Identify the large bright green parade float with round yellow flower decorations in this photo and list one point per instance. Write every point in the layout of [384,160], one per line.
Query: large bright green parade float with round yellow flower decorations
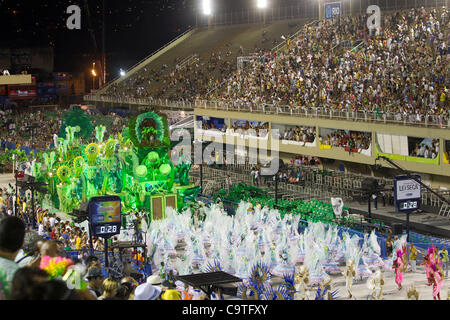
[134,165]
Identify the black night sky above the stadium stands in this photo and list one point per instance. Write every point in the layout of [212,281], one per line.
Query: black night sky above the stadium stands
[134,28]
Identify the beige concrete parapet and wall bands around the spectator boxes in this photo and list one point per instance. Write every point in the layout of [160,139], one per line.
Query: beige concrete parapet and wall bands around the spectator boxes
[438,174]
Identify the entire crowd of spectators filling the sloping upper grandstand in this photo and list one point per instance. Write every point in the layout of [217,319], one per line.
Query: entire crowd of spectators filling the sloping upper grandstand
[397,72]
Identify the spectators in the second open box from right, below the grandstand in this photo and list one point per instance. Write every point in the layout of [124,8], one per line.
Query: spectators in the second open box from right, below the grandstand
[344,139]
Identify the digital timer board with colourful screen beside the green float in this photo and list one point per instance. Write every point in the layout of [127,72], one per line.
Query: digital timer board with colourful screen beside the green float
[105,216]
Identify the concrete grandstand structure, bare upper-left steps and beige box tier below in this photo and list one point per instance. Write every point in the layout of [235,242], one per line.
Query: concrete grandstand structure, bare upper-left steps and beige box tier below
[390,136]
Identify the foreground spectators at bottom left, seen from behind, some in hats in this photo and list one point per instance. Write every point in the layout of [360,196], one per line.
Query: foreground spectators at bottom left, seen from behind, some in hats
[26,274]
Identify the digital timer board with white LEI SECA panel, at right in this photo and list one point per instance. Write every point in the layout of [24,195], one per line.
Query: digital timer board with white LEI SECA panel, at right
[407,193]
